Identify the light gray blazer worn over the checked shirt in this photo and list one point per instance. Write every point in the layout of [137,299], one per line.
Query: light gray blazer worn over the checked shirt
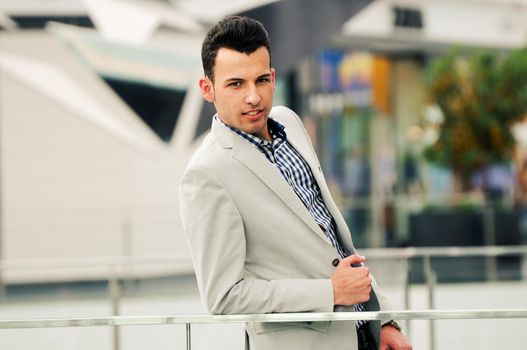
[255,246]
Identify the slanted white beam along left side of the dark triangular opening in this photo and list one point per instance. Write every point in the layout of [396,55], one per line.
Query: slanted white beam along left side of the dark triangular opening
[79,90]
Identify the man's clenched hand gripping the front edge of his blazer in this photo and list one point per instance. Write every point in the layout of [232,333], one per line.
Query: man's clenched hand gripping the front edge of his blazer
[351,285]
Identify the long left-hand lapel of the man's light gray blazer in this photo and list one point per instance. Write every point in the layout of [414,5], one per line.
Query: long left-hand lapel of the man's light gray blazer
[254,160]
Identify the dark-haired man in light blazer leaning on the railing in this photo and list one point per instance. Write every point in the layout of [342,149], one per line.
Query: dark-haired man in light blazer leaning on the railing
[264,233]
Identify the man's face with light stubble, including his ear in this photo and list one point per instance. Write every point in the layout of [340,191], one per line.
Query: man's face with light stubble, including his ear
[243,89]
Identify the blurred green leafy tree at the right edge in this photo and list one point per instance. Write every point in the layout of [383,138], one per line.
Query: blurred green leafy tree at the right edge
[481,95]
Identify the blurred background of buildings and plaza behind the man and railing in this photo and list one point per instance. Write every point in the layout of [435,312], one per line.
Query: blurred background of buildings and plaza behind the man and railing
[416,109]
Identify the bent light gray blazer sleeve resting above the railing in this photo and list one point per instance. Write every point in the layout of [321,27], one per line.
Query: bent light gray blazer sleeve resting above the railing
[215,233]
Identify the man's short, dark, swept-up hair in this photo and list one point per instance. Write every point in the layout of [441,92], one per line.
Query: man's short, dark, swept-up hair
[242,34]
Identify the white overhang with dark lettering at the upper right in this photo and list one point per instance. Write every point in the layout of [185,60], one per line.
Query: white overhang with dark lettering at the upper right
[500,24]
